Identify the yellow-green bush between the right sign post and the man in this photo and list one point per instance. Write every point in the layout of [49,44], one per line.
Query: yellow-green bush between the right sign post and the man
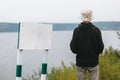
[63,73]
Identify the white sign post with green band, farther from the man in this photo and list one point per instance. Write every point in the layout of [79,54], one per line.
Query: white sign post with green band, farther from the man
[19,65]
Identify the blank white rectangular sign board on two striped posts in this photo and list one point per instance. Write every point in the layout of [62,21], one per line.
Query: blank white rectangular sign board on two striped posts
[35,36]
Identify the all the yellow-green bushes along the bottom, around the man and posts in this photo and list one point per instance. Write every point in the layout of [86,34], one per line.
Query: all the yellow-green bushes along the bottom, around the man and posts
[109,64]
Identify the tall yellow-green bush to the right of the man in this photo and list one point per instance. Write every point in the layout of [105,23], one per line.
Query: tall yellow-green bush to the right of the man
[110,65]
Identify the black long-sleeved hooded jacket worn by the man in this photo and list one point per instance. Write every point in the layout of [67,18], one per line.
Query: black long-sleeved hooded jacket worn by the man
[87,44]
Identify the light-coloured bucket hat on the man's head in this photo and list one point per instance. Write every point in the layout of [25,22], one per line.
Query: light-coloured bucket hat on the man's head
[86,15]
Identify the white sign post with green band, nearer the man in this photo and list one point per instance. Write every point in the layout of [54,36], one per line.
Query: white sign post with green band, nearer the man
[44,65]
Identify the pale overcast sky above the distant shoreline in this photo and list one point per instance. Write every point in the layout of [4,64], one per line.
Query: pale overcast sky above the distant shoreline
[57,11]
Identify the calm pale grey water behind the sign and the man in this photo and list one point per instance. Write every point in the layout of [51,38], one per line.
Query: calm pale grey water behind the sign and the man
[32,60]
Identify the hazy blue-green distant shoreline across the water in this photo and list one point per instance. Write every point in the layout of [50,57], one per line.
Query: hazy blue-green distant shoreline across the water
[107,25]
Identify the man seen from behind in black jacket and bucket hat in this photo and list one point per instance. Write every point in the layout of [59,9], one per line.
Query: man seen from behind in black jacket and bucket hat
[87,44]
